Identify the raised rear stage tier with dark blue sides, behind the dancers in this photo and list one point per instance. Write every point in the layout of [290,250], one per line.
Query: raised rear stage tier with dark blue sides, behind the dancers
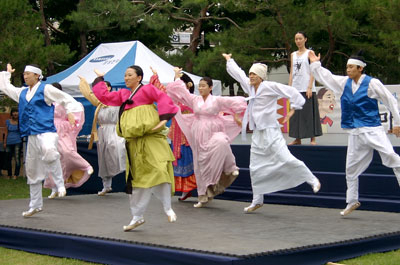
[379,189]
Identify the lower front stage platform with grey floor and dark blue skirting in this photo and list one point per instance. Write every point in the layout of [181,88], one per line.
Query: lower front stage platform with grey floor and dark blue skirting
[89,227]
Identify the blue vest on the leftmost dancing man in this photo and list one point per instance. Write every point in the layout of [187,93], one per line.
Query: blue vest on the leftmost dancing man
[35,116]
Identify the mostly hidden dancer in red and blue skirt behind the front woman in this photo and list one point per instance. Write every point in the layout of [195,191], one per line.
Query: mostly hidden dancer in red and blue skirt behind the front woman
[185,180]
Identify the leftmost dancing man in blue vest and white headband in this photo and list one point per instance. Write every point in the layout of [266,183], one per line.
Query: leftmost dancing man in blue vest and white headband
[36,121]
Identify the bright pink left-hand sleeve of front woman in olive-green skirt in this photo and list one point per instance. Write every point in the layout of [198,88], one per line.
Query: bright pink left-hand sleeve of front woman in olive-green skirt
[106,97]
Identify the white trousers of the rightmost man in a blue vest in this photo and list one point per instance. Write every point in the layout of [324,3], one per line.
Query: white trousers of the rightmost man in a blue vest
[359,156]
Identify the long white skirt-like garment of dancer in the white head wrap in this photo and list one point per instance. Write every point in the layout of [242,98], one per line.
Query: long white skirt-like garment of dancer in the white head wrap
[272,166]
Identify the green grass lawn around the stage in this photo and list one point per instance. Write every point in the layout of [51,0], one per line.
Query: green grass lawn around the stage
[17,189]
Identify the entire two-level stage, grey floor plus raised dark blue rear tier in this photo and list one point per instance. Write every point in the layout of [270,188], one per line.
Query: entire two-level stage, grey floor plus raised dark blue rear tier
[294,226]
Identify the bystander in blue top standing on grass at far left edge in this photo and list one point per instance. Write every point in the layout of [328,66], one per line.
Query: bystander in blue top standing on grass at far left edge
[13,144]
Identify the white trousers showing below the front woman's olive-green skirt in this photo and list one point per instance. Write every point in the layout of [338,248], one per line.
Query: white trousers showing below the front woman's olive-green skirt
[140,198]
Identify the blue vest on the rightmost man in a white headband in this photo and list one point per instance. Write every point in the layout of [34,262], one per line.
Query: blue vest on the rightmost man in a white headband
[359,110]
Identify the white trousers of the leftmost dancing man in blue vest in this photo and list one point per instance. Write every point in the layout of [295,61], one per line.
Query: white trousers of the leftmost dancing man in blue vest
[42,158]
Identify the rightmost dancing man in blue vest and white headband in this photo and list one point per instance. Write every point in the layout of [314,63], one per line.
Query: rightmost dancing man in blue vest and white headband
[360,118]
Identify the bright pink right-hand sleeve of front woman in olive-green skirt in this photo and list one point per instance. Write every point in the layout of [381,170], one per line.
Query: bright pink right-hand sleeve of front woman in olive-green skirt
[165,106]
